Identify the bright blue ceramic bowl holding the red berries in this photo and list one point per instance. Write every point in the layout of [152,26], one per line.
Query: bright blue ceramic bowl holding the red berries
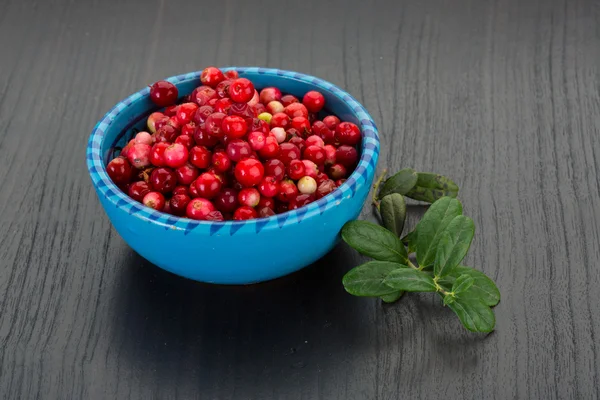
[233,252]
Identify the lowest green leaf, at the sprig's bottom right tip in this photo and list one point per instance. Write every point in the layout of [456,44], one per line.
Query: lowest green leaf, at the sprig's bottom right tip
[474,314]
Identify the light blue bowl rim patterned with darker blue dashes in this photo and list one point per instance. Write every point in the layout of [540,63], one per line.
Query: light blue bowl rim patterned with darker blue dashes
[367,162]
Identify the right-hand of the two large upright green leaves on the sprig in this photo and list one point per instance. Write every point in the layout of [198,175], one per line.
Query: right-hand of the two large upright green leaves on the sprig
[453,244]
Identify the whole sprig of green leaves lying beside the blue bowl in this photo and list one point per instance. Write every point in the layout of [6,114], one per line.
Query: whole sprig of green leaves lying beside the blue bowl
[428,259]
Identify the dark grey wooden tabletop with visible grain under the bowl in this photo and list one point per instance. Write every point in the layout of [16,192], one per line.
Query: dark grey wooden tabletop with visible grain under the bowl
[503,96]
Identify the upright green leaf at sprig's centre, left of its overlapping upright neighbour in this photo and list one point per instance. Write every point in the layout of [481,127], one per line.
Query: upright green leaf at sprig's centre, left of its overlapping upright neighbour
[431,226]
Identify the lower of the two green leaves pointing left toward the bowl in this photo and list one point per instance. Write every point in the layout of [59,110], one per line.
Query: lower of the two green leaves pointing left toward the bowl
[367,279]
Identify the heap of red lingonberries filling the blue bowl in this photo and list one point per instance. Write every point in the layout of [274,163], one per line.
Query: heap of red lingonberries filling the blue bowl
[227,151]
